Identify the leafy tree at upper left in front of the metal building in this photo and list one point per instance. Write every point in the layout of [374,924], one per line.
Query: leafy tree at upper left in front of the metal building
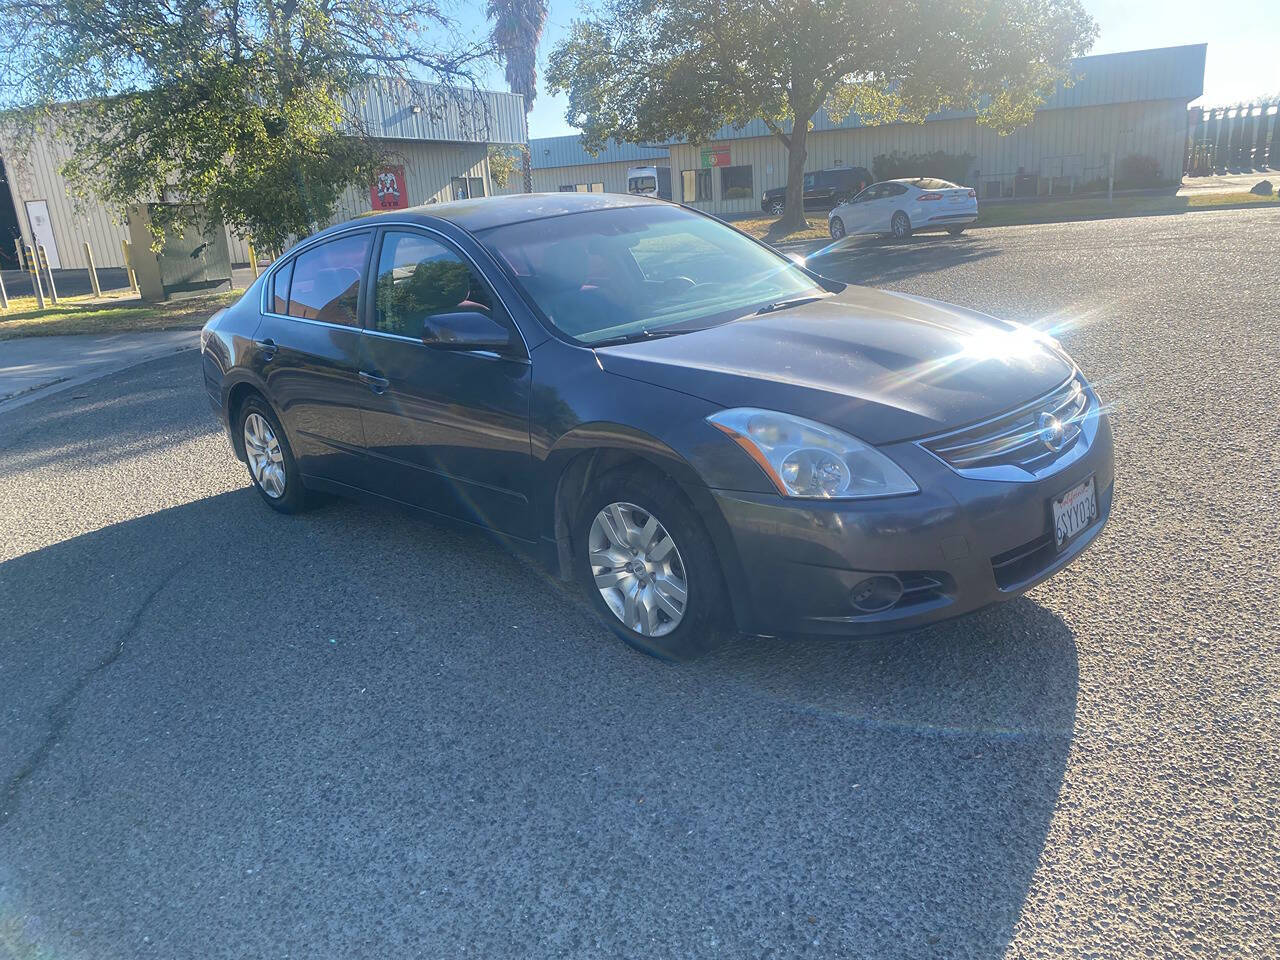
[248,108]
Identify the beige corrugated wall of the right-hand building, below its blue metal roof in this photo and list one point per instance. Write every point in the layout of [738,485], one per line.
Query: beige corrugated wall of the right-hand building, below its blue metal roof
[1081,136]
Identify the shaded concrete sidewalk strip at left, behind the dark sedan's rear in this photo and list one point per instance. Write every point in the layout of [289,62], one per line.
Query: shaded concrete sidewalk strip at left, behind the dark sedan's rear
[36,367]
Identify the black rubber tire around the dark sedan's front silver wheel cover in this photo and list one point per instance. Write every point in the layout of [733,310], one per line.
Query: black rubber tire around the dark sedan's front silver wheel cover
[705,621]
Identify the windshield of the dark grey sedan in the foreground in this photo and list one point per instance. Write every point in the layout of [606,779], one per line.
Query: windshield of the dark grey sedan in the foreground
[604,275]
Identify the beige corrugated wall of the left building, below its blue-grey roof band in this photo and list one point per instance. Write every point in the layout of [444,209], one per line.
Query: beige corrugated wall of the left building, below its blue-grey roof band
[429,170]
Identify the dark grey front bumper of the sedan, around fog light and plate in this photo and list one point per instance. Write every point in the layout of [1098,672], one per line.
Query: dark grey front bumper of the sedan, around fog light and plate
[957,546]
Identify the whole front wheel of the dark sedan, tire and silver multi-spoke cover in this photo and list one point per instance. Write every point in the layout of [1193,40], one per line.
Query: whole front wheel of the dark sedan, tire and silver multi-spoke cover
[648,566]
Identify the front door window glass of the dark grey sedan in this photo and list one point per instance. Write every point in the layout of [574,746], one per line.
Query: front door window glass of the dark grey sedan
[420,278]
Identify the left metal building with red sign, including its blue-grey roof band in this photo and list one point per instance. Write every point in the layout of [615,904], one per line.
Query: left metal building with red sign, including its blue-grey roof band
[440,139]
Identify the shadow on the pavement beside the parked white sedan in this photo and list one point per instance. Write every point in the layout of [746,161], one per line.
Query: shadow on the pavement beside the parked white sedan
[879,263]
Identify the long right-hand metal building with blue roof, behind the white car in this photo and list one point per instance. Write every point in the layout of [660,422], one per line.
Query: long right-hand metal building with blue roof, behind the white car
[1121,104]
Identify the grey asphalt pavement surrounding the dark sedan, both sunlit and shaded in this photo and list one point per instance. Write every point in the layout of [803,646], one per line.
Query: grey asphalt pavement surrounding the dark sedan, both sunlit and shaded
[230,734]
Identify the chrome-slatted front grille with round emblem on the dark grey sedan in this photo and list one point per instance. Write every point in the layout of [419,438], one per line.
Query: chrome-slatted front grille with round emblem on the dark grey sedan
[1018,438]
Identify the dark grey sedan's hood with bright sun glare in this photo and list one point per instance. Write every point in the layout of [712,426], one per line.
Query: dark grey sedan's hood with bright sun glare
[884,367]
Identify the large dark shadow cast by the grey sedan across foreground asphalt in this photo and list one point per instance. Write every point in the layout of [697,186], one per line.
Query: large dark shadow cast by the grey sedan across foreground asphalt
[237,733]
